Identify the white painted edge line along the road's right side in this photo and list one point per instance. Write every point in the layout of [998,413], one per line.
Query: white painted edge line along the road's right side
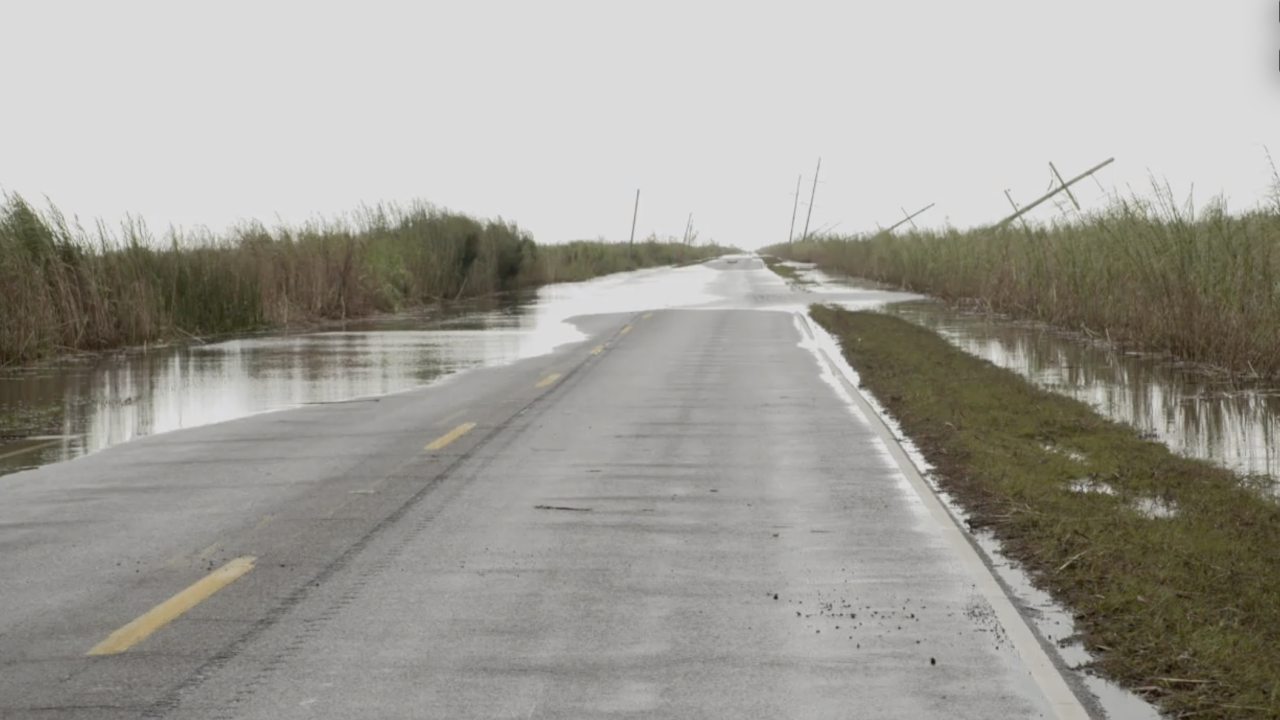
[1052,683]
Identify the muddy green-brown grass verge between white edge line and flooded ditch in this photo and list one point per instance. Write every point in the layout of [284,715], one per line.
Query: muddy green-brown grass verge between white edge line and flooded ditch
[1172,566]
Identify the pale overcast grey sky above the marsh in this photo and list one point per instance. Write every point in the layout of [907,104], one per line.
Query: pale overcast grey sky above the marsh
[554,113]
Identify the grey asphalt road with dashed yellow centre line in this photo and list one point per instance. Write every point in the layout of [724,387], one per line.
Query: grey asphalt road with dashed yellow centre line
[676,518]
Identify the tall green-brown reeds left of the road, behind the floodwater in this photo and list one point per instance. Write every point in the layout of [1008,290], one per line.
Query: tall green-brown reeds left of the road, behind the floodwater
[66,289]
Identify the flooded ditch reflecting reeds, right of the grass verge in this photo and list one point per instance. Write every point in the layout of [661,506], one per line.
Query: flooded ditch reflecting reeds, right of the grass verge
[1194,414]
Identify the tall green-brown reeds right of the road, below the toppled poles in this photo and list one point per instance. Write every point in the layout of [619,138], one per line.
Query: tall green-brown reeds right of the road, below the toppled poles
[1142,274]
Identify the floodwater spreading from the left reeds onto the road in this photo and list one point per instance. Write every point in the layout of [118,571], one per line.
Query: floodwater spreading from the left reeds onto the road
[63,411]
